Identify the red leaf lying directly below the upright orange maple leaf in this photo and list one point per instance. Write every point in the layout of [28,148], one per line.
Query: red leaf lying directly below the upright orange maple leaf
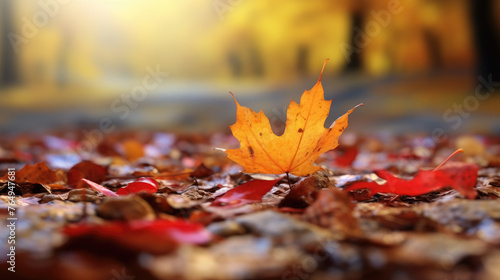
[249,192]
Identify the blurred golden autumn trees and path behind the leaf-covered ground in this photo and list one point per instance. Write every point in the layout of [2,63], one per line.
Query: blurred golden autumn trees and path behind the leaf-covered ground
[418,66]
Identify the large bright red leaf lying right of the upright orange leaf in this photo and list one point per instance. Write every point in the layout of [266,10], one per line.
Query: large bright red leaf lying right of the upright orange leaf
[460,176]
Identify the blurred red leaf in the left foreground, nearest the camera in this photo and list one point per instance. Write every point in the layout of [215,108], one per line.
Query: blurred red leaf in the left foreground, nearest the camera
[177,230]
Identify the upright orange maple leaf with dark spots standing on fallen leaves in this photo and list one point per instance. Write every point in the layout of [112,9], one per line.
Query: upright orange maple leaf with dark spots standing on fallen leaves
[304,140]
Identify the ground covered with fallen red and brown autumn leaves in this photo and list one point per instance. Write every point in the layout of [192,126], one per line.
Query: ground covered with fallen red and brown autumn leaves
[165,206]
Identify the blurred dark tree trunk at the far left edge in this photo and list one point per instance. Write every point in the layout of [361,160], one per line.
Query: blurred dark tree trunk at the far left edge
[8,71]
